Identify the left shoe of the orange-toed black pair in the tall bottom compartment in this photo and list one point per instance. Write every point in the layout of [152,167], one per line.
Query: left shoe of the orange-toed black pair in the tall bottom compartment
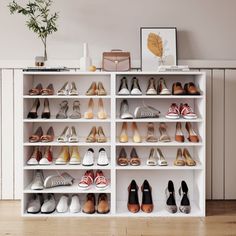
[133,202]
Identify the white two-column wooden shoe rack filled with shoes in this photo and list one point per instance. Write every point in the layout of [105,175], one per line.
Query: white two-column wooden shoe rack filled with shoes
[120,177]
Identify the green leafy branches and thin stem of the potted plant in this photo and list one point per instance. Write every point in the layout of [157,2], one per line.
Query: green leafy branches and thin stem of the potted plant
[40,20]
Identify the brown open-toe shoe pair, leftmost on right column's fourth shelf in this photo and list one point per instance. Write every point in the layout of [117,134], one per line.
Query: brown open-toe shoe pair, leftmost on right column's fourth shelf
[123,160]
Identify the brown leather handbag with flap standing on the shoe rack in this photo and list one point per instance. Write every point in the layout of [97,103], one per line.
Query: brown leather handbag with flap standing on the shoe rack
[116,60]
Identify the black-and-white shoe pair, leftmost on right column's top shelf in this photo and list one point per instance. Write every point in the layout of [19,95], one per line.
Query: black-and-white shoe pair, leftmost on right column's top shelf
[135,88]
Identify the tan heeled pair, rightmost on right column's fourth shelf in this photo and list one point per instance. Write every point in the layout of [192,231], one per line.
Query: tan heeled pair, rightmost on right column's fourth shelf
[184,158]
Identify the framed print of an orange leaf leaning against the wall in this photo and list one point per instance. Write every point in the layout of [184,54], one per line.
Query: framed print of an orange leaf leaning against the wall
[158,47]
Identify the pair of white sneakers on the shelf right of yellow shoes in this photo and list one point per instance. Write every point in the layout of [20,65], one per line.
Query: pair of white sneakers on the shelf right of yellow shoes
[89,157]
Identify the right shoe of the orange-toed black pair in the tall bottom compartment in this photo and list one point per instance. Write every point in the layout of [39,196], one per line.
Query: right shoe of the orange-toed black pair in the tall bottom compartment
[147,203]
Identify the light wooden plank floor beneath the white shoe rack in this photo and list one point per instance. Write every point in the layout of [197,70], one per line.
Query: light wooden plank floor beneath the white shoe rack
[220,220]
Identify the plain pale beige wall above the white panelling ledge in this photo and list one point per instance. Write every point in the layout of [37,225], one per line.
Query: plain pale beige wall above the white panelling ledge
[206,29]
